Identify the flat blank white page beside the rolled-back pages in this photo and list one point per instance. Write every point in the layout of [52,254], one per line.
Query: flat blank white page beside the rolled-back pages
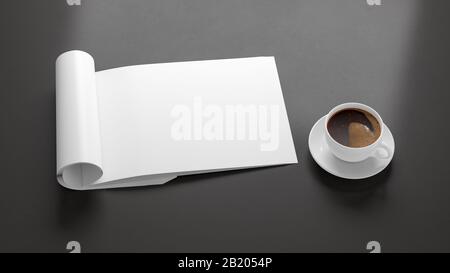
[186,117]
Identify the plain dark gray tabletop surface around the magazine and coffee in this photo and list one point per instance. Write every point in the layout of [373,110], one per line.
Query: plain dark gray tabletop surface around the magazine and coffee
[394,57]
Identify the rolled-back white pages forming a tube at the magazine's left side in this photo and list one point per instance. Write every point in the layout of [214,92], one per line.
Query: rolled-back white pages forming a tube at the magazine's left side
[79,160]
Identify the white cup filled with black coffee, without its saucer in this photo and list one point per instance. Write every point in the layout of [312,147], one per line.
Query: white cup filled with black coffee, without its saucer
[354,132]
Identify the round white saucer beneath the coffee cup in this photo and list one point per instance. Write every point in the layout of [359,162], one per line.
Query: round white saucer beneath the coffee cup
[359,170]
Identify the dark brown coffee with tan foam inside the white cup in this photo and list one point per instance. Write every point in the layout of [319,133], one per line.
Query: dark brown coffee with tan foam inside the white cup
[354,128]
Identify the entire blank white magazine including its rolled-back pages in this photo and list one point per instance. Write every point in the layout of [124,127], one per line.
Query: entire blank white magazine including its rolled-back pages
[147,124]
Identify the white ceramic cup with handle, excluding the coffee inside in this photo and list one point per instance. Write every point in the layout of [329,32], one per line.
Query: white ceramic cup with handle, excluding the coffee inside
[378,149]
